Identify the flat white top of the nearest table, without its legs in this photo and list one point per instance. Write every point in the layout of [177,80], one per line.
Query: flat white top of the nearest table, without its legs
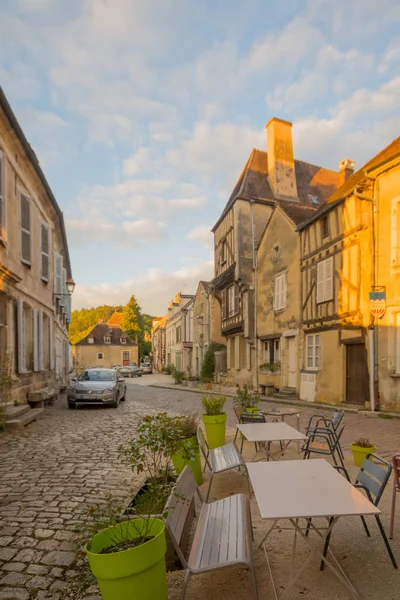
[305,488]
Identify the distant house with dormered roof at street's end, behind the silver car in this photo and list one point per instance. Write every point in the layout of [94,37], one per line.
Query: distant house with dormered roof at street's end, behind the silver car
[106,345]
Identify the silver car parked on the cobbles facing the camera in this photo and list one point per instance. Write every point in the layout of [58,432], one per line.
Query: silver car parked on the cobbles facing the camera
[97,386]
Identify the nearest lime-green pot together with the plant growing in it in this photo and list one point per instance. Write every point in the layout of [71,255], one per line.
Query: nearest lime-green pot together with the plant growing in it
[127,557]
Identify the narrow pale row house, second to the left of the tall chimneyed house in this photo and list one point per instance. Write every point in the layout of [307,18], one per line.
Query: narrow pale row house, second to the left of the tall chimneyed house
[179,332]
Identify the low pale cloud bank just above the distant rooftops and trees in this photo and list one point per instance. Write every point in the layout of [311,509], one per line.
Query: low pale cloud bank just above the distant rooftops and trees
[153,289]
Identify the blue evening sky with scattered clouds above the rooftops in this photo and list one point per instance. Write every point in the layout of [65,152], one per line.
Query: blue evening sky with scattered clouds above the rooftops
[143,113]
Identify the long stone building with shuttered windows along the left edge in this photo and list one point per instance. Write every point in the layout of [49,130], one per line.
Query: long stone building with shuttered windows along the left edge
[35,305]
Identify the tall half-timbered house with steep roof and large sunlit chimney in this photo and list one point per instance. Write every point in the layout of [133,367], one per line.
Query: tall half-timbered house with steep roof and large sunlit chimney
[269,179]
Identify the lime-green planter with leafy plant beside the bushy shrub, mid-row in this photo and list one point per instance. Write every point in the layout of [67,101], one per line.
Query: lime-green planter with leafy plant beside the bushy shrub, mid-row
[189,453]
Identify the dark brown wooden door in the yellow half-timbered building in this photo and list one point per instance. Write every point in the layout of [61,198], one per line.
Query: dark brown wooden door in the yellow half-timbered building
[357,381]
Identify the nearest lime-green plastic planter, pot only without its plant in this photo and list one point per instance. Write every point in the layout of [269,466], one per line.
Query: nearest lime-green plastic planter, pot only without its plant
[135,574]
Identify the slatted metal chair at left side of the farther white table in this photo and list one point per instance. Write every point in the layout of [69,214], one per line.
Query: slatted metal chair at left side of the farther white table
[223,458]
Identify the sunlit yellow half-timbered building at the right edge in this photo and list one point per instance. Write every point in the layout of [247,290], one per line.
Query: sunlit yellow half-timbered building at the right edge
[350,289]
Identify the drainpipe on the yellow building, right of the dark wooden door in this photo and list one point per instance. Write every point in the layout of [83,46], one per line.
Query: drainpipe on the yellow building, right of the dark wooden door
[373,329]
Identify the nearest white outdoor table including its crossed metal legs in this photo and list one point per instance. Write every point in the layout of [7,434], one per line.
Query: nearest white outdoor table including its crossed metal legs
[306,489]
